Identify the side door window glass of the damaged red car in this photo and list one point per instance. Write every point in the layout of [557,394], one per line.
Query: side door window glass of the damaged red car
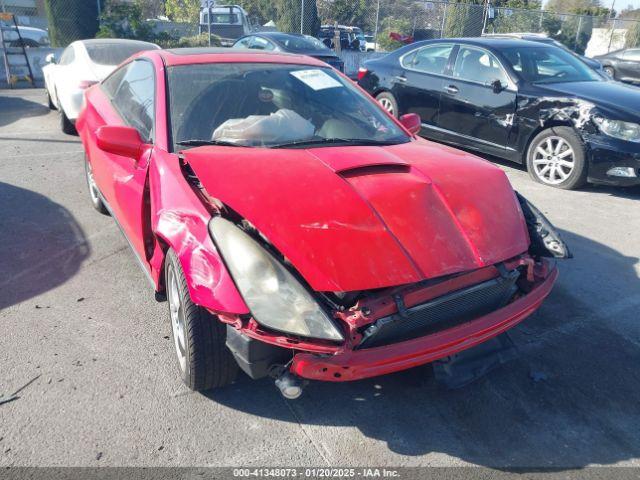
[134,97]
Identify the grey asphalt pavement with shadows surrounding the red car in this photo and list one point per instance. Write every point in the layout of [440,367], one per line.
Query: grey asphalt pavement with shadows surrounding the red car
[82,333]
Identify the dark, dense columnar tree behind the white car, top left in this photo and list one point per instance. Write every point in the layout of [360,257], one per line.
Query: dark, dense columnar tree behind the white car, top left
[71,20]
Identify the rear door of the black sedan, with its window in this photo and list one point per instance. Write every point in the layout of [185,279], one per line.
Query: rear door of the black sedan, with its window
[419,85]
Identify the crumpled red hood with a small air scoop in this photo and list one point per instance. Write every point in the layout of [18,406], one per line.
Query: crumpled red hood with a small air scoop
[356,218]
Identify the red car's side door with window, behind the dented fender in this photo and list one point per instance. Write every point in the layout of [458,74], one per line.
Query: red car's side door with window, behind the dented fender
[131,91]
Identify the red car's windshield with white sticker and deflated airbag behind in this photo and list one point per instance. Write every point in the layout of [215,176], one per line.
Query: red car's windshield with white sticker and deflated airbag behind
[268,105]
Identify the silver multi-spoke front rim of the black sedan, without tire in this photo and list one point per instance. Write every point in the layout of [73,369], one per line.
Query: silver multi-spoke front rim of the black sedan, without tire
[553,160]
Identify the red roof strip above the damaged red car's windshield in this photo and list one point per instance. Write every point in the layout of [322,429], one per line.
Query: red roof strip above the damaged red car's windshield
[188,56]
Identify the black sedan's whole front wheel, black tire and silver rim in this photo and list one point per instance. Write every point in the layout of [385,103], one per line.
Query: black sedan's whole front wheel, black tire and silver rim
[556,157]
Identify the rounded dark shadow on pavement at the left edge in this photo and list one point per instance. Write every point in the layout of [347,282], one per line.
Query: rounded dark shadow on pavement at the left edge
[42,245]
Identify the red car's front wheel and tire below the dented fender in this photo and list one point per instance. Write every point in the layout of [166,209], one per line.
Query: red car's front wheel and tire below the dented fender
[199,337]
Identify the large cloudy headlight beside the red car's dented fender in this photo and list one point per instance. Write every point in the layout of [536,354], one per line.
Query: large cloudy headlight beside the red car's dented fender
[276,299]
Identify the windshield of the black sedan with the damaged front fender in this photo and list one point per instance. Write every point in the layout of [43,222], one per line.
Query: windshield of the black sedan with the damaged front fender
[548,64]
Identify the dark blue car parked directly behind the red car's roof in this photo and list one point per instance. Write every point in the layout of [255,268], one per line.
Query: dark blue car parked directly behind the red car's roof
[291,43]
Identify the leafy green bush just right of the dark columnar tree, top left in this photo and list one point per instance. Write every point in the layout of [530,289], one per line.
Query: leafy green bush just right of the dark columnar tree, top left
[124,20]
